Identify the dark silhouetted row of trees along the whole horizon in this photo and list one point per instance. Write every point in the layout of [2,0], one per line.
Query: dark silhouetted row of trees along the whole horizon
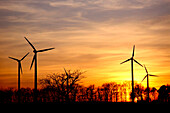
[66,87]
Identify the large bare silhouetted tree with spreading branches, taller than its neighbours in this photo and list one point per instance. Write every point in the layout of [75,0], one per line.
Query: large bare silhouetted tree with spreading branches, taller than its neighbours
[62,85]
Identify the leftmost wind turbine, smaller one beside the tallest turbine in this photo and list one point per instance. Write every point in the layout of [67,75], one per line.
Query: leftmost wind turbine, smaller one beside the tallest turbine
[19,70]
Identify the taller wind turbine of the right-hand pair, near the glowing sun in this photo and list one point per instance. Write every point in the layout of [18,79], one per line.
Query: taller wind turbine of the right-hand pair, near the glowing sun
[132,59]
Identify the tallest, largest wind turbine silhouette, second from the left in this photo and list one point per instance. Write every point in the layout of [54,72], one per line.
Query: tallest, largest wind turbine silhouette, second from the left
[34,60]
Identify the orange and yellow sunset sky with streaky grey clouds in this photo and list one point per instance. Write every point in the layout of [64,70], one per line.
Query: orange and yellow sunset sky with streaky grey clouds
[90,35]
